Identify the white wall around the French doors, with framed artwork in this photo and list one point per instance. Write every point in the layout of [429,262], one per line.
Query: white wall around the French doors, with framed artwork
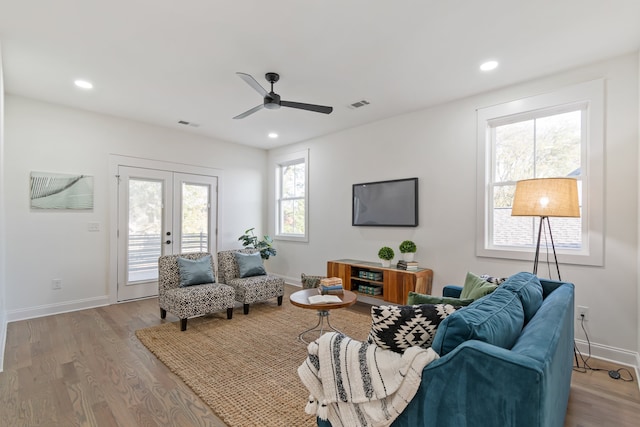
[50,244]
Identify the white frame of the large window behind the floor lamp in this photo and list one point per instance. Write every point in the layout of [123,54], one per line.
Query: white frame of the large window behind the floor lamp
[591,95]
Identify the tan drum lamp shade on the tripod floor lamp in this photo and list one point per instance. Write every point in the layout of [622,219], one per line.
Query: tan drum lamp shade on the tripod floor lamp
[546,197]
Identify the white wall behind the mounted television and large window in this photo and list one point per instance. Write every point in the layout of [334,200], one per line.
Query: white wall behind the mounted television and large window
[438,145]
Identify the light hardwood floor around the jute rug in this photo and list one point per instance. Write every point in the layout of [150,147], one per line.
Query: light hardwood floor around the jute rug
[87,368]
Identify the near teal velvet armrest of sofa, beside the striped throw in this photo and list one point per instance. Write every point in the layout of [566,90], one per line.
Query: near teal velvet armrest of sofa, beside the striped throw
[477,381]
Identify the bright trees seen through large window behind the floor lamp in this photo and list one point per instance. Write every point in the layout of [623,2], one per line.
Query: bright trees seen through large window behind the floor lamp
[544,145]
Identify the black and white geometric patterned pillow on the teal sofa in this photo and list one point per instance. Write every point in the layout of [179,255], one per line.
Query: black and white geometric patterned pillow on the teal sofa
[397,328]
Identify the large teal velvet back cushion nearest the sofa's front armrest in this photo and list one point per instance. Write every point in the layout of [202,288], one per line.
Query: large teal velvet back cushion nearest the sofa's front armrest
[496,319]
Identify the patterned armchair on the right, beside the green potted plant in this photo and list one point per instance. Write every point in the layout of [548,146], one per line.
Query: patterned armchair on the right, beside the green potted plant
[248,289]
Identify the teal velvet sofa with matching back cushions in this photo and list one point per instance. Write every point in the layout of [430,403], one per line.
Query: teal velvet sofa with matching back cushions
[506,360]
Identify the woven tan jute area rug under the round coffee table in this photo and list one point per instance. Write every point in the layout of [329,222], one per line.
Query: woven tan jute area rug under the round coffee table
[245,369]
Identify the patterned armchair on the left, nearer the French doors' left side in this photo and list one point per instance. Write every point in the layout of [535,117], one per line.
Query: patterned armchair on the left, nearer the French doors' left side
[190,301]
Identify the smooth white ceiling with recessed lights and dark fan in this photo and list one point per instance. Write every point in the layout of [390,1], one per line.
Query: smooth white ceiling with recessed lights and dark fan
[161,61]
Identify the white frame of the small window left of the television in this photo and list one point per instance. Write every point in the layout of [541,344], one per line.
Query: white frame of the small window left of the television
[286,160]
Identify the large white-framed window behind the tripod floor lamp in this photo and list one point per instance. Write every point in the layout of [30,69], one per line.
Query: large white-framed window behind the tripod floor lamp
[553,135]
